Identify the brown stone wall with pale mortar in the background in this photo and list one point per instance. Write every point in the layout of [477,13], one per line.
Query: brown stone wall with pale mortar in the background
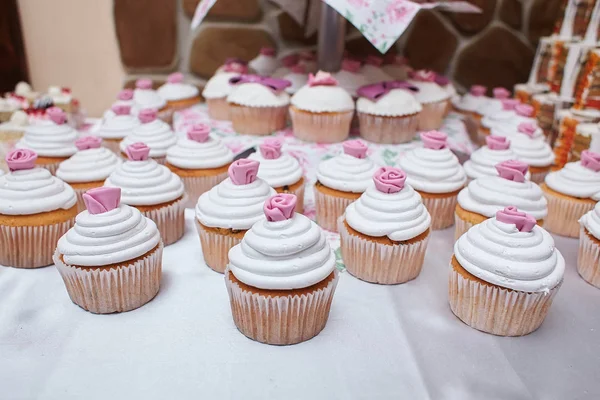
[493,48]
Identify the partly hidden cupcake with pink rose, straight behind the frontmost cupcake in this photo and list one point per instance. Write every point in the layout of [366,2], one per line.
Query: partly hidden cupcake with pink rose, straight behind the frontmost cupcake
[280,170]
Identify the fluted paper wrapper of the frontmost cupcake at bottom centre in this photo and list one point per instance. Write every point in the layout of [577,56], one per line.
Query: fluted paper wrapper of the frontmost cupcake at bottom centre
[280,320]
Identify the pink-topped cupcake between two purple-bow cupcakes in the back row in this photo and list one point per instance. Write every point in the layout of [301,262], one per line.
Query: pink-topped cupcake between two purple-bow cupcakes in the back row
[322,111]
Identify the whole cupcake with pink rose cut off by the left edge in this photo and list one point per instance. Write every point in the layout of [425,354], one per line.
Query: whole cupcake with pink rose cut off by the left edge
[36,209]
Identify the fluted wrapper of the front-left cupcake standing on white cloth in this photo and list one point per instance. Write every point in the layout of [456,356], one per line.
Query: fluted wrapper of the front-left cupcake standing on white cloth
[119,289]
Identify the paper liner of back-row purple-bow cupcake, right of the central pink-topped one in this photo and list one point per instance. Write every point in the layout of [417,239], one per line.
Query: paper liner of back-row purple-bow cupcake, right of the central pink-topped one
[388,130]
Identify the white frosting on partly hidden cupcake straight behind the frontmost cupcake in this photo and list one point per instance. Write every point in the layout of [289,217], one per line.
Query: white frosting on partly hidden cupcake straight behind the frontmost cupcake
[282,171]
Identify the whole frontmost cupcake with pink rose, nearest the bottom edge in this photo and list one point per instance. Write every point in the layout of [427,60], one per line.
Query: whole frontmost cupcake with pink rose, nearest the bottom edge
[281,278]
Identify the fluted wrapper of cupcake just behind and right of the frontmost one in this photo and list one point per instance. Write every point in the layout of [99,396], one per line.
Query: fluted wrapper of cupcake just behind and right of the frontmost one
[379,263]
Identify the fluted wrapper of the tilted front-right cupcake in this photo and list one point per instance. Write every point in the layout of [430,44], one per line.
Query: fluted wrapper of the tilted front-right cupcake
[494,309]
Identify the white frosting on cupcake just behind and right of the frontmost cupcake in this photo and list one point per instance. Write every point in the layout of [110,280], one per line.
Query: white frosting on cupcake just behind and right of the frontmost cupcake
[399,216]
